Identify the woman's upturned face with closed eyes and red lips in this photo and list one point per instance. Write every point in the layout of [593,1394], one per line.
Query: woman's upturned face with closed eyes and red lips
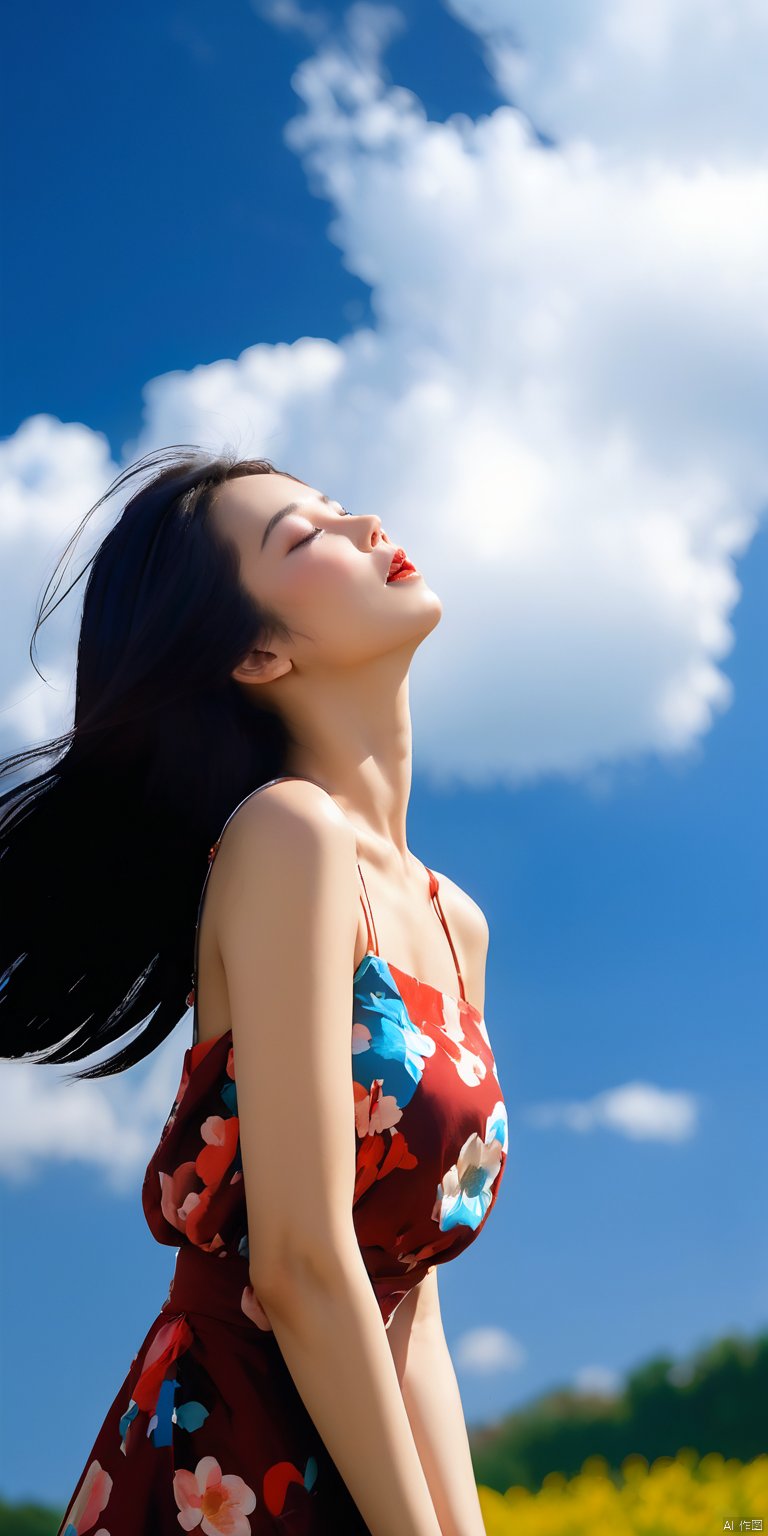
[323,572]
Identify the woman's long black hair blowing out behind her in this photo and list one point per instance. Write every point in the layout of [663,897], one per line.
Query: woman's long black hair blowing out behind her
[104,852]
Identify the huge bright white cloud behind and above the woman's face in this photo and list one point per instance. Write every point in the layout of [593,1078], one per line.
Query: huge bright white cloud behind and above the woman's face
[558,412]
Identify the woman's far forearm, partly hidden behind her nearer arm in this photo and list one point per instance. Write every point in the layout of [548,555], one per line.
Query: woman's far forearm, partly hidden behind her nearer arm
[432,1400]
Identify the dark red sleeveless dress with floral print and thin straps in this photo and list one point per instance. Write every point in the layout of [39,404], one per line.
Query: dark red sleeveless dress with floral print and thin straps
[208,1432]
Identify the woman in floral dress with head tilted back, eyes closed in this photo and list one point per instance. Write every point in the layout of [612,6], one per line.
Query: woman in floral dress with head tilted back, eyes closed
[243,664]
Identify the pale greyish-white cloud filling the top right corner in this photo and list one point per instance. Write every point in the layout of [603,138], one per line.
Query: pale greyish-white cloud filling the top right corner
[683,79]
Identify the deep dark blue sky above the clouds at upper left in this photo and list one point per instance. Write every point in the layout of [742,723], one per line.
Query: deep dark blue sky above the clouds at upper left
[176,227]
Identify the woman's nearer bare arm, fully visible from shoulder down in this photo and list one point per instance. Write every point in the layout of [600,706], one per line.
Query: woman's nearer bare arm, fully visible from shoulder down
[286,927]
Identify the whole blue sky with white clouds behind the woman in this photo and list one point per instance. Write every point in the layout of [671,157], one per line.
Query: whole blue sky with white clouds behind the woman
[591,743]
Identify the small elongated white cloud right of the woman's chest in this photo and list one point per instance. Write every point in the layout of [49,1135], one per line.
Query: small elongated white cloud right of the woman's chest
[638,1111]
